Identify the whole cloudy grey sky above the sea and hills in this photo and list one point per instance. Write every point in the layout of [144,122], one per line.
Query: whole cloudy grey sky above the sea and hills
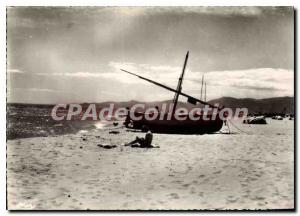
[74,54]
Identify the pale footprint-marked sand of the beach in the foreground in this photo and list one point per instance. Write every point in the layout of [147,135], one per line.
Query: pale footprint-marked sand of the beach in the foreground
[218,171]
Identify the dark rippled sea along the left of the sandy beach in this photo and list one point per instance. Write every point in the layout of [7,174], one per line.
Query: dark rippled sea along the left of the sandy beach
[24,121]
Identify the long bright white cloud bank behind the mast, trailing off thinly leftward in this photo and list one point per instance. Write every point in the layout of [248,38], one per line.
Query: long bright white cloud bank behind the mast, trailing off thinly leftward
[257,83]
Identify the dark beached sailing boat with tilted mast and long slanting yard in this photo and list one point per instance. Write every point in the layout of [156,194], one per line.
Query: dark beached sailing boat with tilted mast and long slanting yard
[173,125]
